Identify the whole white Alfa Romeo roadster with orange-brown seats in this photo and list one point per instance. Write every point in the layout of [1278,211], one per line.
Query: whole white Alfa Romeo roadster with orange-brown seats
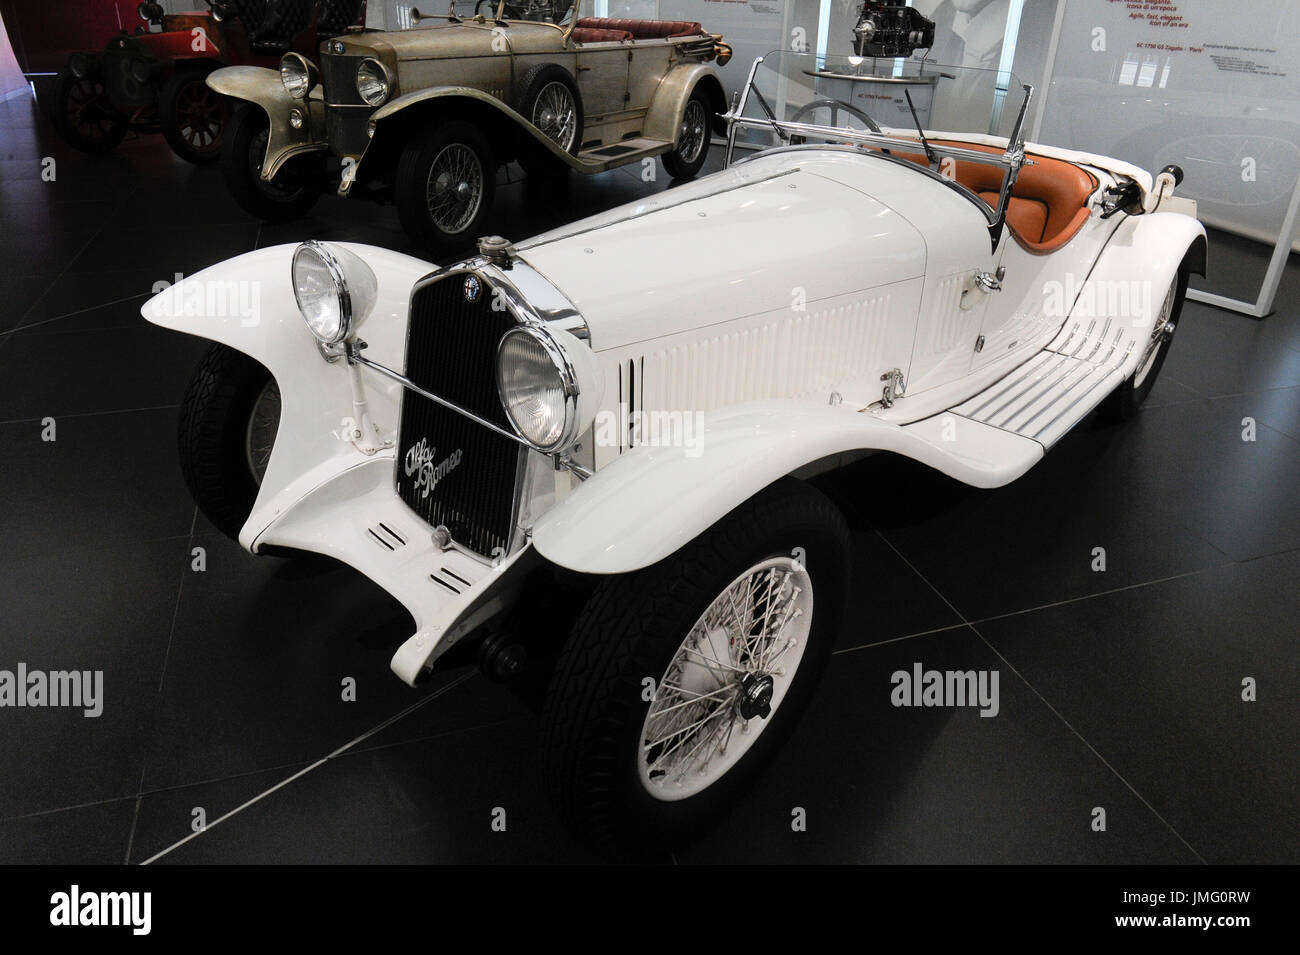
[606,431]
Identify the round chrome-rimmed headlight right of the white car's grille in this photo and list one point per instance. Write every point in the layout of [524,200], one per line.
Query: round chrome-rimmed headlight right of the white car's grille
[536,388]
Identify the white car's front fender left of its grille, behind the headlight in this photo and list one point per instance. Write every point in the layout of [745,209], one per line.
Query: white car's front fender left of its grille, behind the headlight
[248,303]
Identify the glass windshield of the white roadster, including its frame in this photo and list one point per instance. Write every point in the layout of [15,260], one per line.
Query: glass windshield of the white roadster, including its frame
[934,116]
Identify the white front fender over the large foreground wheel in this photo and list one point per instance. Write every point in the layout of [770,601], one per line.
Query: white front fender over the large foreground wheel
[652,501]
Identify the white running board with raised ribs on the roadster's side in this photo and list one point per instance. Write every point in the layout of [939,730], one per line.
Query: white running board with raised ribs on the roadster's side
[1056,389]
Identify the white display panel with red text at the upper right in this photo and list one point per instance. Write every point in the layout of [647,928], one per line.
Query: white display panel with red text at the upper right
[1212,88]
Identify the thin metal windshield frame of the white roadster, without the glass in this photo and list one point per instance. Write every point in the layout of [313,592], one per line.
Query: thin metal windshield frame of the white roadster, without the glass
[848,140]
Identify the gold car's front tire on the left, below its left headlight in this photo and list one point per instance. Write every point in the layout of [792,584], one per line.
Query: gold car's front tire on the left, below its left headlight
[294,190]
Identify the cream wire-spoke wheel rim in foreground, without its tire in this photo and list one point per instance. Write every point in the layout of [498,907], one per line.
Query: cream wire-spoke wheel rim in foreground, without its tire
[726,680]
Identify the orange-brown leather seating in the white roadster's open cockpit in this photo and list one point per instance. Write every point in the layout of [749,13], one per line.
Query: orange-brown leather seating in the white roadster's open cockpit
[1050,201]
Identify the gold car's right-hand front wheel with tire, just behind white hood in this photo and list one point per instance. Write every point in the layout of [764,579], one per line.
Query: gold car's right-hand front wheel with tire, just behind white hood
[445,186]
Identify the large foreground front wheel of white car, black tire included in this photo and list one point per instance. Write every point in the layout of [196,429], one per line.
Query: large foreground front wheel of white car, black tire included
[766,588]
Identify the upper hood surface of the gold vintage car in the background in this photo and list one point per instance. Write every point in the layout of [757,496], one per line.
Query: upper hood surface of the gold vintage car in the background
[440,40]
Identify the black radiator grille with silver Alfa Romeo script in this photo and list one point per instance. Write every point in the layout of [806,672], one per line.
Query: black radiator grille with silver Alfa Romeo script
[450,470]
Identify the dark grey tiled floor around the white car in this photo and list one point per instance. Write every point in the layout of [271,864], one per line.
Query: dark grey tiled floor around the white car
[1120,689]
